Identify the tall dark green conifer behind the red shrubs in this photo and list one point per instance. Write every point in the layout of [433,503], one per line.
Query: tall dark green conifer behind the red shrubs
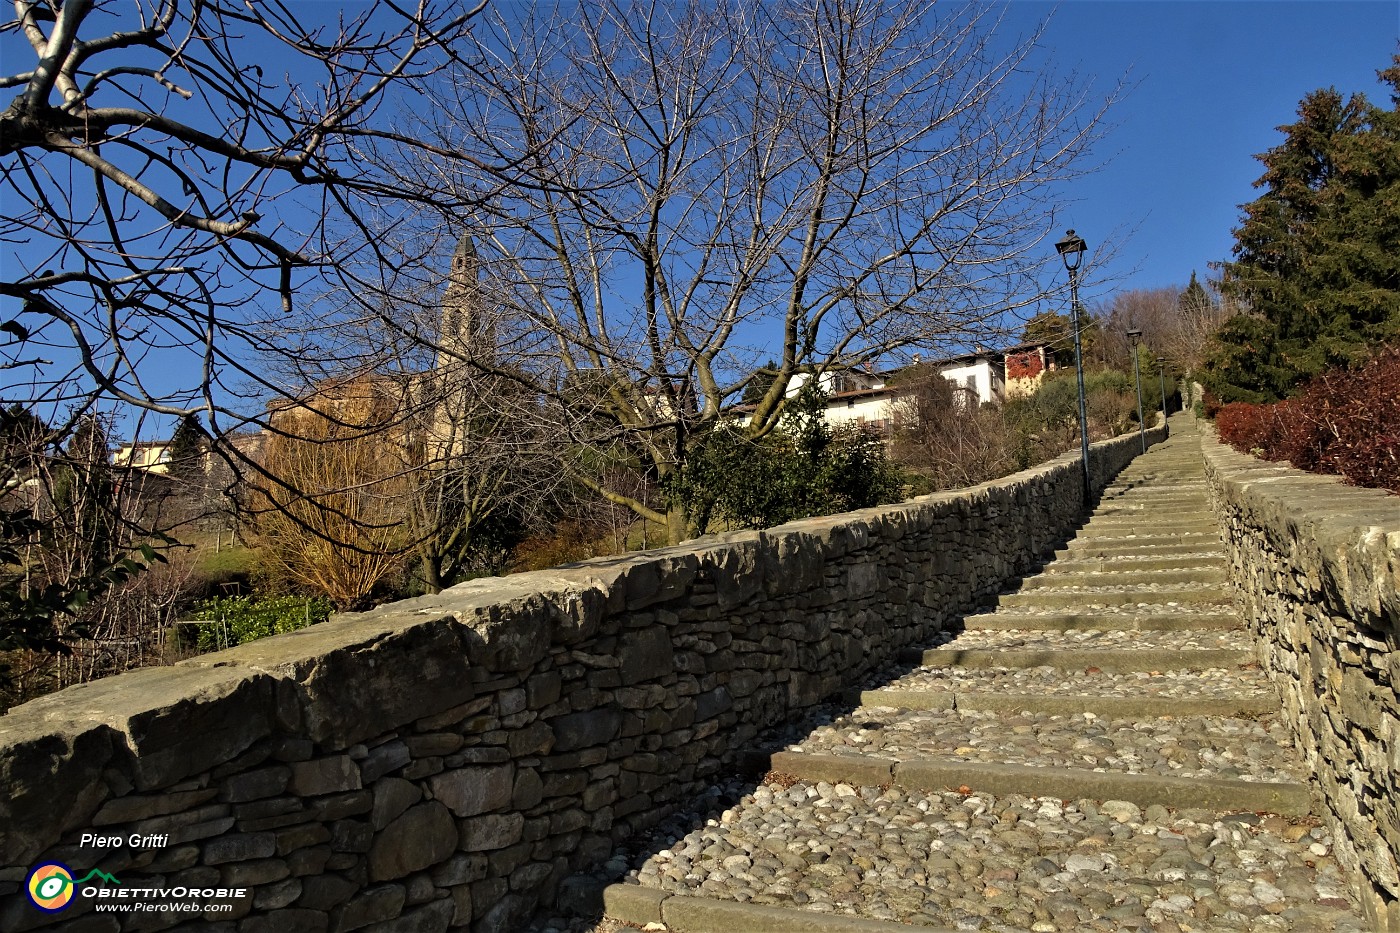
[1318,254]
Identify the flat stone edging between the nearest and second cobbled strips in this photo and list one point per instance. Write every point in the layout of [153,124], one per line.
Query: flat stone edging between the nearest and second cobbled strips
[1290,799]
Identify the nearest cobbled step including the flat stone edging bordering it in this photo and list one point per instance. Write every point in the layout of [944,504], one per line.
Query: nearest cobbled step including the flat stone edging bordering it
[930,850]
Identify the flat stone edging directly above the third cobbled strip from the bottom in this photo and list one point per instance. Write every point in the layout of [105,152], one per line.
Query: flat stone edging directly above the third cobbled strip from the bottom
[1112,661]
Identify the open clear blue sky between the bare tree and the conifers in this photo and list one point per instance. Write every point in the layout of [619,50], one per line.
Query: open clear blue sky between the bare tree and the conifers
[1214,81]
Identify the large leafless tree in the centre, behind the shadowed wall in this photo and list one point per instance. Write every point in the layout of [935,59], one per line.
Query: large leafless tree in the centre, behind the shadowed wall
[674,193]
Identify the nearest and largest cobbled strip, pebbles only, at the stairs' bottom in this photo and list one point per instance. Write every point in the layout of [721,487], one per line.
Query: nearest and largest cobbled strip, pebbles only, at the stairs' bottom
[1009,865]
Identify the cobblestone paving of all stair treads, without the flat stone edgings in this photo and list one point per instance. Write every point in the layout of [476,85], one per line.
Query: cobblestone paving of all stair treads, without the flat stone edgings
[1020,862]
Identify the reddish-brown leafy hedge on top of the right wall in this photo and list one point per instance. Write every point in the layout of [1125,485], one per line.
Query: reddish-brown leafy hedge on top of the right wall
[1343,422]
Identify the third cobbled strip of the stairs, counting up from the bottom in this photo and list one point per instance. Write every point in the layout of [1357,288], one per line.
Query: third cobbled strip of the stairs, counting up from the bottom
[1049,682]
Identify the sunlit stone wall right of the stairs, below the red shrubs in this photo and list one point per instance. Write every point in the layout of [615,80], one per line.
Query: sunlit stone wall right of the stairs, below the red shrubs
[1319,569]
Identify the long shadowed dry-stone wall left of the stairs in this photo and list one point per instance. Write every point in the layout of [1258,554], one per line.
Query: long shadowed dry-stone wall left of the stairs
[450,760]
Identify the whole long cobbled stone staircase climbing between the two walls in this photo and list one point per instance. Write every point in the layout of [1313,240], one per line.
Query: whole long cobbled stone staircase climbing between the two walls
[1094,752]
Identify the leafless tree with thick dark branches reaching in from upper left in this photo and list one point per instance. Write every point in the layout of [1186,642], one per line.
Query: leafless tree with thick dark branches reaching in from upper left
[173,174]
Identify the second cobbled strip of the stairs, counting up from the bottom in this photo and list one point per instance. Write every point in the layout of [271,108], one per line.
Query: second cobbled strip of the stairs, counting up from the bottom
[1181,747]
